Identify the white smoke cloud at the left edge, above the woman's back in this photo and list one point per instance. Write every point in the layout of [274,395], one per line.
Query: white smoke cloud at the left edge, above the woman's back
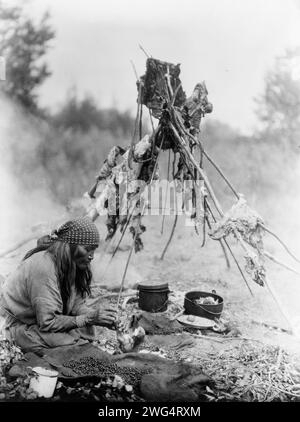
[26,200]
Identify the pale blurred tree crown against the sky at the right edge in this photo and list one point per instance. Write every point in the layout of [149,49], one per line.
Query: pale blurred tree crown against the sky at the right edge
[279,106]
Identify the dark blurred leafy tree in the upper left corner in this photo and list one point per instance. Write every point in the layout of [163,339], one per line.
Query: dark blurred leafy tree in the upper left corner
[23,43]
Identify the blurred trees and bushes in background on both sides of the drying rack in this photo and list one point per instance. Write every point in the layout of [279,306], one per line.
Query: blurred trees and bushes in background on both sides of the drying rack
[74,141]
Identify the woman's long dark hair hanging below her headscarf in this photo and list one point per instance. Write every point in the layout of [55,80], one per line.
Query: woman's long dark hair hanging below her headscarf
[67,273]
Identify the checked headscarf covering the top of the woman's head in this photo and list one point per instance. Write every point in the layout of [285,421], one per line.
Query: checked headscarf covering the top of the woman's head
[80,231]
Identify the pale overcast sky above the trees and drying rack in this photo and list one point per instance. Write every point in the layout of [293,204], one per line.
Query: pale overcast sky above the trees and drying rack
[230,44]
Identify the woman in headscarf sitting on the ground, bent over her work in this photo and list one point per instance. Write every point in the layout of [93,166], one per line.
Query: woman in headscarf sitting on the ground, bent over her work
[43,301]
